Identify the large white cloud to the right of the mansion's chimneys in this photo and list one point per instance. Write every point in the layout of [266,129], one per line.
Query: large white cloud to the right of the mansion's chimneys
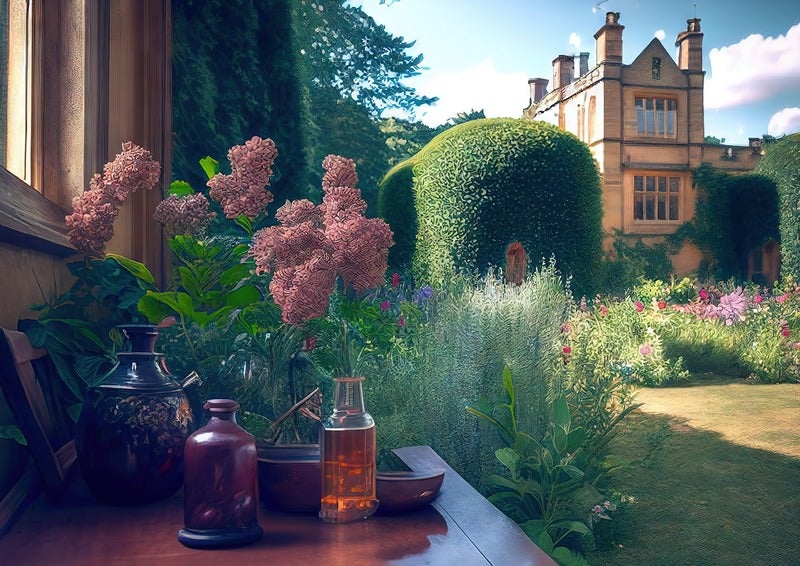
[754,69]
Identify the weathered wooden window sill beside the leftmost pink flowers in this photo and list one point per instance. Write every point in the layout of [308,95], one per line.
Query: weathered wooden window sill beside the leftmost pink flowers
[29,220]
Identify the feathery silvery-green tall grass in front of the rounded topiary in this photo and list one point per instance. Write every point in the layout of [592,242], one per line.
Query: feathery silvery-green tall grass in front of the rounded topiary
[476,327]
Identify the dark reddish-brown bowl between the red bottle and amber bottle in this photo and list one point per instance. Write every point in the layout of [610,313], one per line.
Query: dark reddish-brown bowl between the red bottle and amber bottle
[290,477]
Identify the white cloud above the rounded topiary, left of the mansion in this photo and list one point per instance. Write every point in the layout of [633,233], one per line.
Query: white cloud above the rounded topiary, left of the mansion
[481,87]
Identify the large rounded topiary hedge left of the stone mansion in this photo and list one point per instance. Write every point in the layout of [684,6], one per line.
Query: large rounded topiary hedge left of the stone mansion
[483,184]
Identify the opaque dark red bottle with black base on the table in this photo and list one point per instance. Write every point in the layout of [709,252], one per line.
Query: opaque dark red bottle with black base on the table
[221,482]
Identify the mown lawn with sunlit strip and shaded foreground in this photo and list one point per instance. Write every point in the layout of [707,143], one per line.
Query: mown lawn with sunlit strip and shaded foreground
[715,470]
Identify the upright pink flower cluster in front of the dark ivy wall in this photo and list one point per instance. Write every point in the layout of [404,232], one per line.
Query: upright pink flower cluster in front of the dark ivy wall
[244,191]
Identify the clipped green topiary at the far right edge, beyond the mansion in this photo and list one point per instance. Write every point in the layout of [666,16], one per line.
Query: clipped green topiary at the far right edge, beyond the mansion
[781,163]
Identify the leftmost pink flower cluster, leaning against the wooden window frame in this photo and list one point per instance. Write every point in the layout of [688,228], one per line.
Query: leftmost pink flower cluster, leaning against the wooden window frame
[91,223]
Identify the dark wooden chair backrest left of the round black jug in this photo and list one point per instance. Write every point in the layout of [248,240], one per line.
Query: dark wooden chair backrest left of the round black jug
[30,385]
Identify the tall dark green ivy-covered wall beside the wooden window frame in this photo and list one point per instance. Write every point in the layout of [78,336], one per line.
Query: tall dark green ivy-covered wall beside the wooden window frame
[235,74]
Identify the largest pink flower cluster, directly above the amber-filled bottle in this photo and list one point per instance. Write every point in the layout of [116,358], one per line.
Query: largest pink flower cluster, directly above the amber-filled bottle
[313,245]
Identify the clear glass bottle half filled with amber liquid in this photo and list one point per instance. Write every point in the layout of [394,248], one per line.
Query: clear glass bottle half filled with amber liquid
[347,447]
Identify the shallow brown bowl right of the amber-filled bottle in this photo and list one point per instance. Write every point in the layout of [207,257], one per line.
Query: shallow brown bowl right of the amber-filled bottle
[399,492]
